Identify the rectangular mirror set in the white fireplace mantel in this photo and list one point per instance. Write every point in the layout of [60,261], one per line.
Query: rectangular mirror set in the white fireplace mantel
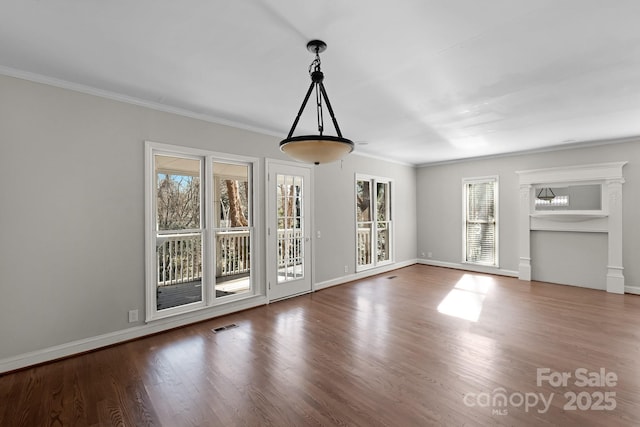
[573,198]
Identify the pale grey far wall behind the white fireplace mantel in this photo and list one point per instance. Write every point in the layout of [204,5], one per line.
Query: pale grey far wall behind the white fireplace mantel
[440,201]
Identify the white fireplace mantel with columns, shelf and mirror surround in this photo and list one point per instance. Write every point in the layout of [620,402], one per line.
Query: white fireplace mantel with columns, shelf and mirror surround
[607,219]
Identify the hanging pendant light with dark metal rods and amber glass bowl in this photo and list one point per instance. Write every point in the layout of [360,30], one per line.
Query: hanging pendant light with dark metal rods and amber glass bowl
[319,148]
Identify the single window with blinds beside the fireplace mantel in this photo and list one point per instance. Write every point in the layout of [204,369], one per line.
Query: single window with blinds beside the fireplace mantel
[480,221]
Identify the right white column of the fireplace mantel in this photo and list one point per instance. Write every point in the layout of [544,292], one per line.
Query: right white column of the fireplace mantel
[615,277]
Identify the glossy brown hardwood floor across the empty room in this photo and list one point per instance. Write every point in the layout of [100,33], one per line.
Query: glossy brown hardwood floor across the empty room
[377,352]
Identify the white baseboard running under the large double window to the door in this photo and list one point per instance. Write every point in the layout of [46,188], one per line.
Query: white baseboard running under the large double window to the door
[93,343]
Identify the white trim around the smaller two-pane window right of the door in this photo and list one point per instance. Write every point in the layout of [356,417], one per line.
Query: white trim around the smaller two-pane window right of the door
[374,180]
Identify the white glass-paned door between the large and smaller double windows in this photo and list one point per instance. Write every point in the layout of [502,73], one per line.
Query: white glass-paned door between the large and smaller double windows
[288,230]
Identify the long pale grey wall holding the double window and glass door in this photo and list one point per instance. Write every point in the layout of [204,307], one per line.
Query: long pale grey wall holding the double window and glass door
[72,213]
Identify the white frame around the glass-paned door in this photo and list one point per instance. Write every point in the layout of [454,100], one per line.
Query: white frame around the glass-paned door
[270,257]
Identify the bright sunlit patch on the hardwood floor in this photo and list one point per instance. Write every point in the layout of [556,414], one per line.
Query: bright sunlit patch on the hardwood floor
[466,298]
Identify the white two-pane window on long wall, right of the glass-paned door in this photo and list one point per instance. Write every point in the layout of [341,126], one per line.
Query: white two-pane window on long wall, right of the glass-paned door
[374,226]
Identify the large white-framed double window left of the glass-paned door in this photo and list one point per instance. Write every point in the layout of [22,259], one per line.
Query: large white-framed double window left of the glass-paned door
[199,229]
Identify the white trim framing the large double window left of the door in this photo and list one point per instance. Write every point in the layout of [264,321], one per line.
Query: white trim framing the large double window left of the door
[207,227]
